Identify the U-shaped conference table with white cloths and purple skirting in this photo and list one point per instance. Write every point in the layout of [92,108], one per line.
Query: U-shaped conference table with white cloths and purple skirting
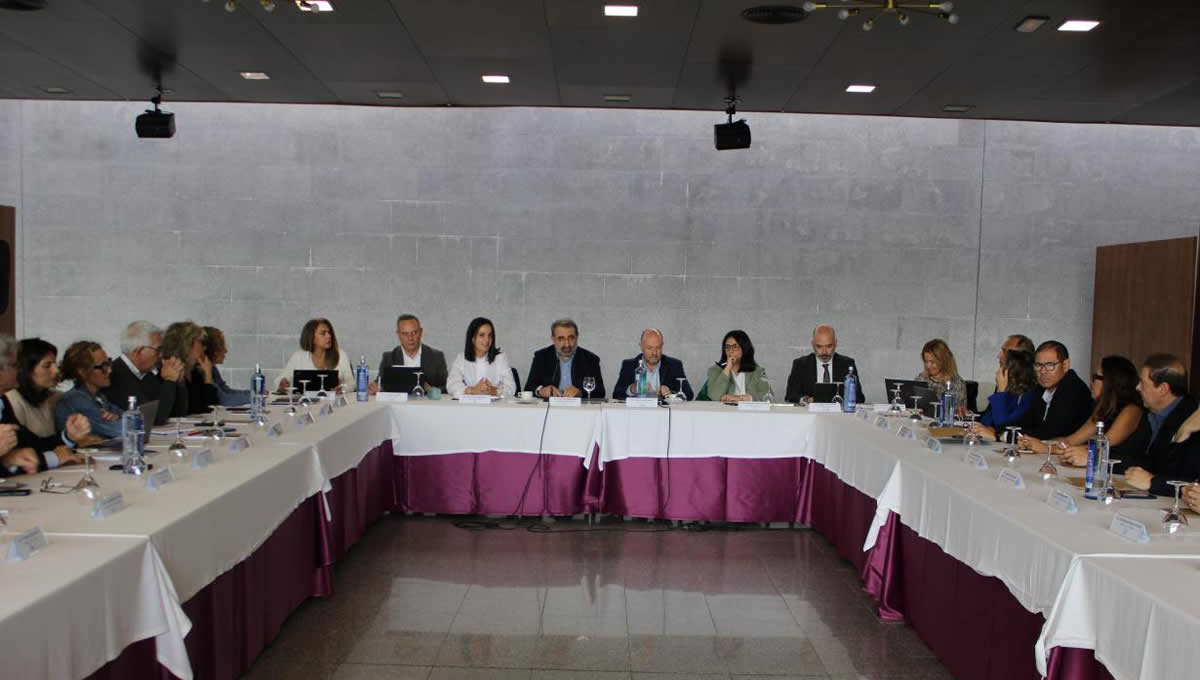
[194,579]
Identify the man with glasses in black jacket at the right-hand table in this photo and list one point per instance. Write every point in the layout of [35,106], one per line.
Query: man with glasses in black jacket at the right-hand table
[1064,402]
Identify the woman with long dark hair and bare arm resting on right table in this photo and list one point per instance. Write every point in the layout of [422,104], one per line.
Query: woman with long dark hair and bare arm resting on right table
[1119,407]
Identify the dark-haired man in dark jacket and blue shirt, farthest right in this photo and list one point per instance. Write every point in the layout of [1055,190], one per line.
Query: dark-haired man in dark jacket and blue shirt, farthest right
[1165,393]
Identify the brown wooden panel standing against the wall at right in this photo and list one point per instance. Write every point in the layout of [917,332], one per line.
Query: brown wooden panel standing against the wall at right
[1145,302]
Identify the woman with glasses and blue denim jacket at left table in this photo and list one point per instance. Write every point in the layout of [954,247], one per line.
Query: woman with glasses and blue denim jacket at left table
[87,364]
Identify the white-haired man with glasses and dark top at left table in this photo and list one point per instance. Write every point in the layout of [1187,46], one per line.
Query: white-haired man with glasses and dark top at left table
[135,372]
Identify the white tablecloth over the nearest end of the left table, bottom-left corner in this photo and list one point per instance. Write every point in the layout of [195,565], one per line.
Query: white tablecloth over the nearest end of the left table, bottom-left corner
[73,607]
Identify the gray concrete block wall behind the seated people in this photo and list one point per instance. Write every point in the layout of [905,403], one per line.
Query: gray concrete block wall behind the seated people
[897,231]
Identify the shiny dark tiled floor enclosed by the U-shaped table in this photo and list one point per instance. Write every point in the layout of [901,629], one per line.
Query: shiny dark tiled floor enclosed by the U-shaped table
[421,599]
